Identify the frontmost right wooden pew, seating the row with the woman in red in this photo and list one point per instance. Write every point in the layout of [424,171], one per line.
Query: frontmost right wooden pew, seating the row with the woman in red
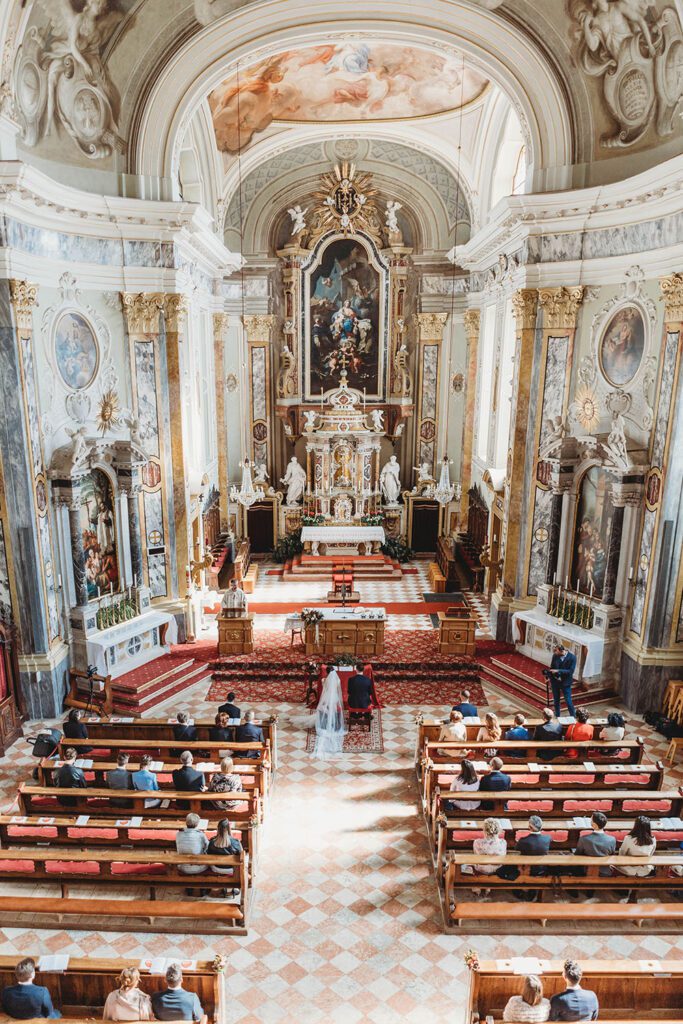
[590,750]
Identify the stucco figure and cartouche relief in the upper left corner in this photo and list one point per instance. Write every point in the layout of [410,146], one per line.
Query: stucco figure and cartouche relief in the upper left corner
[60,77]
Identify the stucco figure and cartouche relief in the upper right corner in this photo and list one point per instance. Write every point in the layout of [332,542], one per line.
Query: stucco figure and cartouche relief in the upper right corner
[639,57]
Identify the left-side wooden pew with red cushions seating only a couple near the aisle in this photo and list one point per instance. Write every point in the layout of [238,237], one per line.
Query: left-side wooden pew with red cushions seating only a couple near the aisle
[131,868]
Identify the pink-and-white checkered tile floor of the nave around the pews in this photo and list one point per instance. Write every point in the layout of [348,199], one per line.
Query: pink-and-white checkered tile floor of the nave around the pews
[347,924]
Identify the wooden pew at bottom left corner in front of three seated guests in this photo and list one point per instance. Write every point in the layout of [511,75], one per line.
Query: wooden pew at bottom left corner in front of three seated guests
[81,991]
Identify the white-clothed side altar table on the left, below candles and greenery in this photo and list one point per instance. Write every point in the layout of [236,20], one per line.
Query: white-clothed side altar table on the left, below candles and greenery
[127,647]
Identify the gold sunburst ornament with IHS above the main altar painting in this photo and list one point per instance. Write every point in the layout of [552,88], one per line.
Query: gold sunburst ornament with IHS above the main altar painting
[347,203]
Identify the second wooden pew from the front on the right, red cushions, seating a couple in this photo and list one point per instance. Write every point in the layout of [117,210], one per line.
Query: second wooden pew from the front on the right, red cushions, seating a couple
[438,780]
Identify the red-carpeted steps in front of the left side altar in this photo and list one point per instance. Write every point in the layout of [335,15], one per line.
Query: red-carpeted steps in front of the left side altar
[155,682]
